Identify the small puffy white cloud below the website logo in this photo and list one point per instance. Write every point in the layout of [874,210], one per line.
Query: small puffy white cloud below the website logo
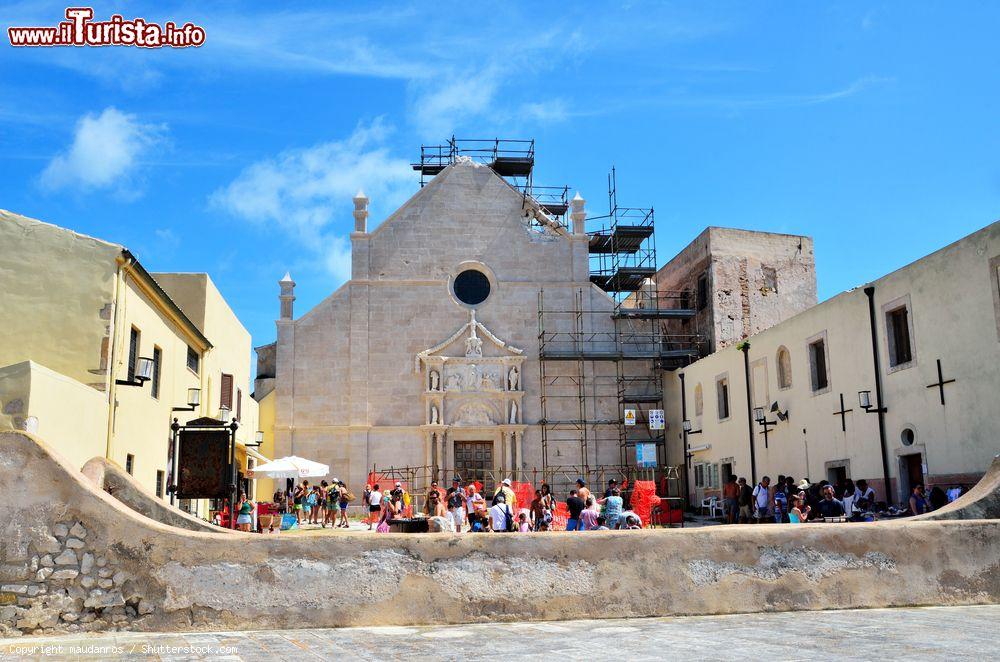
[106,153]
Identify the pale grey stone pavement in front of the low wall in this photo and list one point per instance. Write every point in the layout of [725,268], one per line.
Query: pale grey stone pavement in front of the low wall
[930,633]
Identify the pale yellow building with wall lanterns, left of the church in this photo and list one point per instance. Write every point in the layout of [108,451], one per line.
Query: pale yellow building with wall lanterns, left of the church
[80,313]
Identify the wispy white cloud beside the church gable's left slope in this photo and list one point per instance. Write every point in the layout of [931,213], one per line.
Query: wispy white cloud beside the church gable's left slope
[307,192]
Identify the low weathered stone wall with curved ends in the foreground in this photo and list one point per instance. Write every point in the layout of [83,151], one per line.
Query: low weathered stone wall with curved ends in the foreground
[73,558]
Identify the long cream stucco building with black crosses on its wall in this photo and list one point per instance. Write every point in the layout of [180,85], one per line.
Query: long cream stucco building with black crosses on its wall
[936,318]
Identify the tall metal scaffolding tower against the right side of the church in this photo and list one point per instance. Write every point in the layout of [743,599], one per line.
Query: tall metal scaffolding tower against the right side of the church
[576,345]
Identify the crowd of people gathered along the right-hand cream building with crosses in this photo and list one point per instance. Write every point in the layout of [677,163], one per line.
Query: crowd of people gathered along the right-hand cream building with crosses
[788,501]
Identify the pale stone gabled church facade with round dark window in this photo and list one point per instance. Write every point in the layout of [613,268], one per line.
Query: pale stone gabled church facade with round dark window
[427,356]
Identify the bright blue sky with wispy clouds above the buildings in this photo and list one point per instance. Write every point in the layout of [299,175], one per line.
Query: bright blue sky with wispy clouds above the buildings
[872,127]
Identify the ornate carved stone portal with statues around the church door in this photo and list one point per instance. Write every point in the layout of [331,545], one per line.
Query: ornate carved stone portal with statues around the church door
[475,395]
